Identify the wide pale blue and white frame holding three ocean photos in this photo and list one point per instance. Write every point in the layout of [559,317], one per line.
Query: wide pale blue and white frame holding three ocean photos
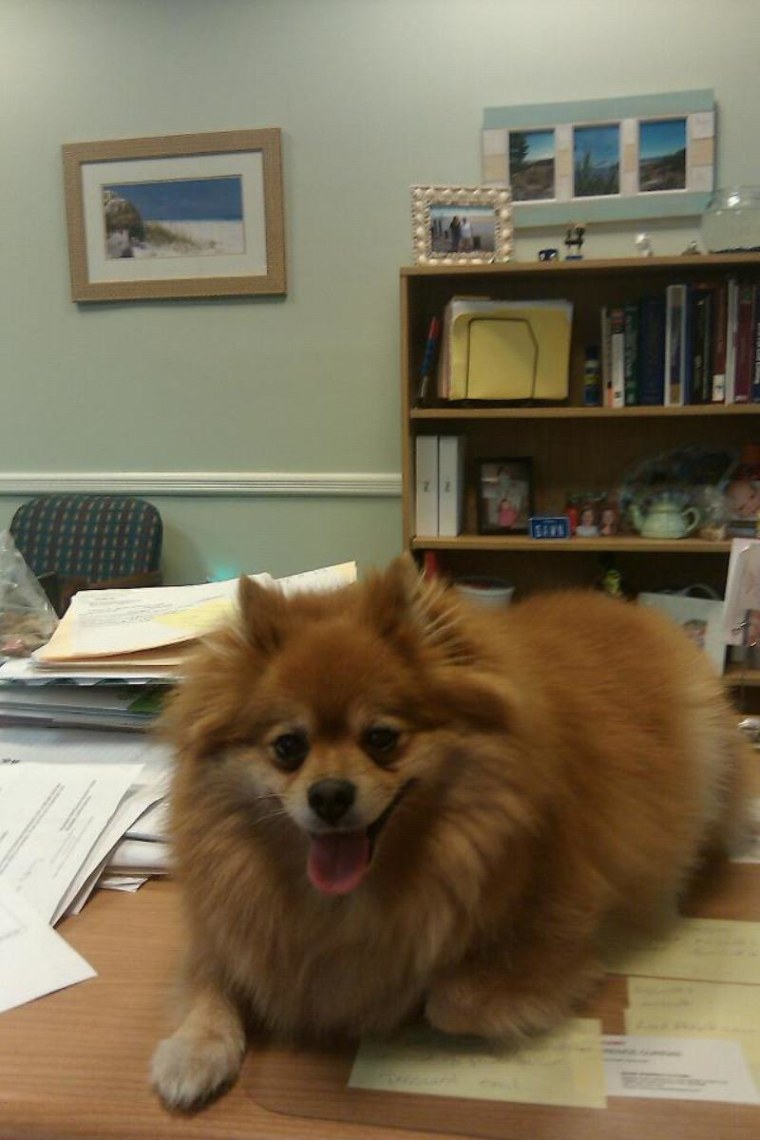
[603,160]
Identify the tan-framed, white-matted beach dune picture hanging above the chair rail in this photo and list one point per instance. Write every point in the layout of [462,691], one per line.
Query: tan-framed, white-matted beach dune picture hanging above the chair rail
[183,216]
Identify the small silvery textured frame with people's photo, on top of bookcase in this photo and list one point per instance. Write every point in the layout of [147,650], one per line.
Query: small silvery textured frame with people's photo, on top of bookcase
[462,224]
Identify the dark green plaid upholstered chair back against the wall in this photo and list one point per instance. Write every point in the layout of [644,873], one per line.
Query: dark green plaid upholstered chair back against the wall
[89,542]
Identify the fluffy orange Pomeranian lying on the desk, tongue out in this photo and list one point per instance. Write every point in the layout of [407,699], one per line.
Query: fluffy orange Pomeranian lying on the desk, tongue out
[390,802]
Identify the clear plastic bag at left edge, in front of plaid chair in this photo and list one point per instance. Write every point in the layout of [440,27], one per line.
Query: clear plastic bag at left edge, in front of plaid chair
[27,617]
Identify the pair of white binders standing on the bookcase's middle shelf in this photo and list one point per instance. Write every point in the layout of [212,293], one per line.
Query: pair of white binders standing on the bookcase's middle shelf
[439,485]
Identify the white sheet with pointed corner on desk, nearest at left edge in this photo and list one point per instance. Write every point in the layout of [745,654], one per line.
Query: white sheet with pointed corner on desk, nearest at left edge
[35,960]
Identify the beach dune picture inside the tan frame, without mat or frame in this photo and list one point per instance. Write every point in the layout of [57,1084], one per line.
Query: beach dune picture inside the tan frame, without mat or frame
[175,218]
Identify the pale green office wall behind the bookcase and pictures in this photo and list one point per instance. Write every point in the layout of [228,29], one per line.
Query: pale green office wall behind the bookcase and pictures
[372,96]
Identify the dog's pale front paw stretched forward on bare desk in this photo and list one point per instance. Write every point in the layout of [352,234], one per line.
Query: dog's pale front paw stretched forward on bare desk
[187,1071]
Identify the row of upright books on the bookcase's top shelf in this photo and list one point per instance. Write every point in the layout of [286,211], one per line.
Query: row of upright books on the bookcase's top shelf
[697,344]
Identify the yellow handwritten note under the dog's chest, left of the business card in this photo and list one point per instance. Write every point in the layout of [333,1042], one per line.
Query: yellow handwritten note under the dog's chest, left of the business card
[565,1069]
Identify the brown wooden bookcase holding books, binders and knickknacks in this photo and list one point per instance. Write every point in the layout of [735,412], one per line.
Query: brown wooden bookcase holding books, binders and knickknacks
[571,446]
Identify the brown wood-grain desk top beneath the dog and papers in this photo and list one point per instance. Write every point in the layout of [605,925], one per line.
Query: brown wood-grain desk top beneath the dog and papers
[75,1064]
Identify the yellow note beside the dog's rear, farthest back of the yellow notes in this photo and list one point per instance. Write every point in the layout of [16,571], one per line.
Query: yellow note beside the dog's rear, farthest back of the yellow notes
[699,950]
